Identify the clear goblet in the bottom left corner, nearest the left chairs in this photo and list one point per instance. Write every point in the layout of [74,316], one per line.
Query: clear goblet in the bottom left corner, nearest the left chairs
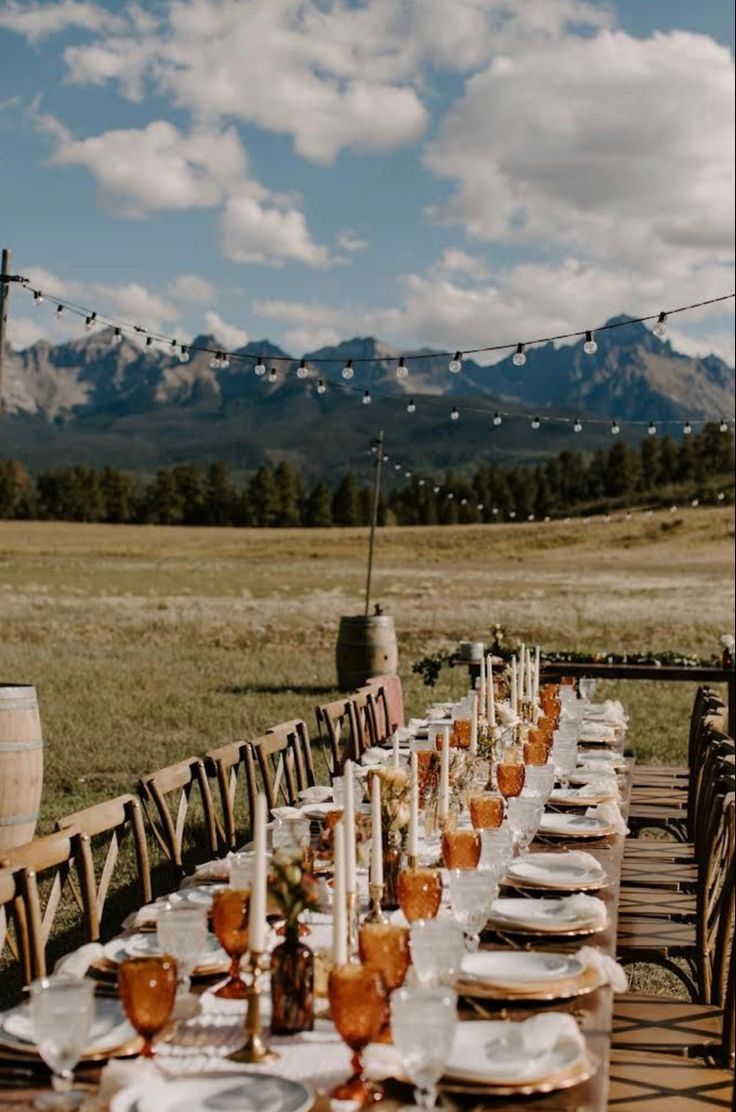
[62,1012]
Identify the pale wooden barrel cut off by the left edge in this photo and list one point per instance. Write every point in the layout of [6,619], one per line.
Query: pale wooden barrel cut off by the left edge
[22,764]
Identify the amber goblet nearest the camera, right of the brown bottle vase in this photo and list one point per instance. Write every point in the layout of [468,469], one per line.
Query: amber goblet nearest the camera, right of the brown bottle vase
[360,1009]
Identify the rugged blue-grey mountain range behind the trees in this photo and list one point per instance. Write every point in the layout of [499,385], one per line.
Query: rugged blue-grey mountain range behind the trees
[94,402]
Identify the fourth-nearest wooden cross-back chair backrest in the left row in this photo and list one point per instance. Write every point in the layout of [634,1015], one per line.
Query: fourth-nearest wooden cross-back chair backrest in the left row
[180,808]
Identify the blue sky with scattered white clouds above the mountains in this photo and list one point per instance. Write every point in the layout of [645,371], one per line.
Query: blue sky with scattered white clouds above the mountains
[435,173]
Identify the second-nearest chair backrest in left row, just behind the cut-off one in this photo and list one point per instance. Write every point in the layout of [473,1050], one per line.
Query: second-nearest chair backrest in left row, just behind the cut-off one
[55,897]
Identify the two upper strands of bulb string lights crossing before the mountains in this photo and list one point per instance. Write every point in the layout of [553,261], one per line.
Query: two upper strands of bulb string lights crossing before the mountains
[95,317]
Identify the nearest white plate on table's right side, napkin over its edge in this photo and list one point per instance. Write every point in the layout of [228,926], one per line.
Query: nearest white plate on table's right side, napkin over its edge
[481,1053]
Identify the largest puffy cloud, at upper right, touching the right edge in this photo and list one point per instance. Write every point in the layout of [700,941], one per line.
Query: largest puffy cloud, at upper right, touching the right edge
[613,147]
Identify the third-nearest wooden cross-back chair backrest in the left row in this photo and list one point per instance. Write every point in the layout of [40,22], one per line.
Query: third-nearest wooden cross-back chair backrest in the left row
[100,833]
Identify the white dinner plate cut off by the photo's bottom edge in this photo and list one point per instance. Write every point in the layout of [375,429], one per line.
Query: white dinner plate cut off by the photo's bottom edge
[232,1093]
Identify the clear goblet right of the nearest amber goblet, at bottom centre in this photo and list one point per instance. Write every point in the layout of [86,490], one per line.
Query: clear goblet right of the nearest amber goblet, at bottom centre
[423,1028]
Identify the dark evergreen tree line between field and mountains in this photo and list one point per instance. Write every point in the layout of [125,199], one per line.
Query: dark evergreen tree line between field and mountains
[279,497]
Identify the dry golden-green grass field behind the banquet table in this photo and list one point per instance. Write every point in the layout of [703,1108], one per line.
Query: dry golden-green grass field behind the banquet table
[147,644]
